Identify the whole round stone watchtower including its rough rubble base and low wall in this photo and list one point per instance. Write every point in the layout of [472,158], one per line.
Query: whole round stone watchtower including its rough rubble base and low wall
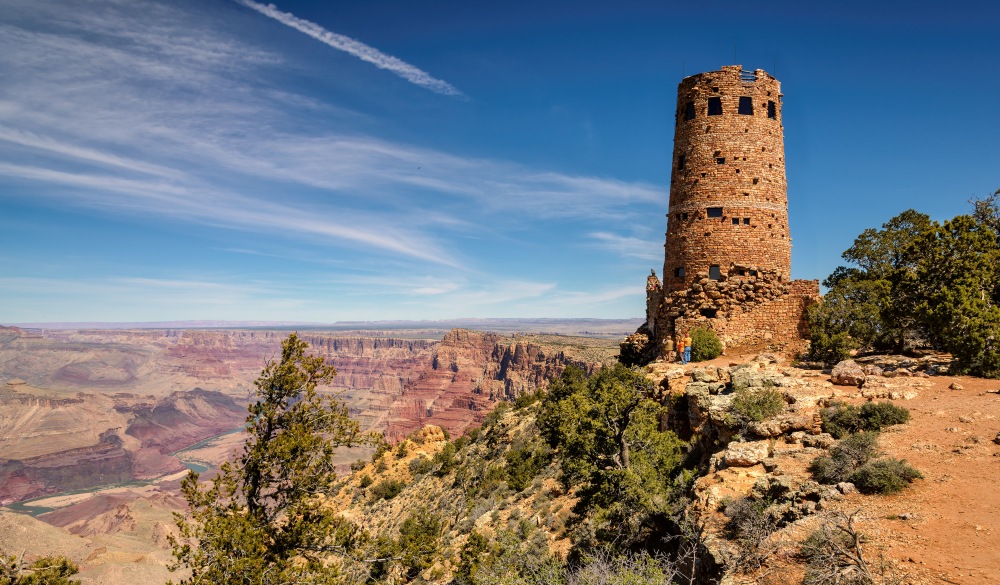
[727,260]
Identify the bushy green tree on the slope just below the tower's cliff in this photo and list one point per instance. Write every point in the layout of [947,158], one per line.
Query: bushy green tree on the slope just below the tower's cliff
[607,431]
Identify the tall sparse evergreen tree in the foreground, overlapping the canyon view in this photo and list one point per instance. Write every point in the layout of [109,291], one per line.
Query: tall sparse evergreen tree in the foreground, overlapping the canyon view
[262,519]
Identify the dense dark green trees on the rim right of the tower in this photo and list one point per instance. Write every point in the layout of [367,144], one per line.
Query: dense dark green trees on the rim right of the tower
[917,282]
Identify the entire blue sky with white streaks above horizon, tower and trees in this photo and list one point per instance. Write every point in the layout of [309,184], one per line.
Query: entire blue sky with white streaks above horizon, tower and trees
[325,161]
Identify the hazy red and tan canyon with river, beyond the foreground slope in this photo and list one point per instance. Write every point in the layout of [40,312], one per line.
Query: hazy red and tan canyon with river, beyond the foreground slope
[98,426]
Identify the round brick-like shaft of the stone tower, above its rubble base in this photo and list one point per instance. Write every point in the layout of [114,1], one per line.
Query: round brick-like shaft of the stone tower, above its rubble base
[728,212]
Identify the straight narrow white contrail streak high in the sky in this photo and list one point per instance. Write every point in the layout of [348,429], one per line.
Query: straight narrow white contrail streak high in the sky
[355,48]
